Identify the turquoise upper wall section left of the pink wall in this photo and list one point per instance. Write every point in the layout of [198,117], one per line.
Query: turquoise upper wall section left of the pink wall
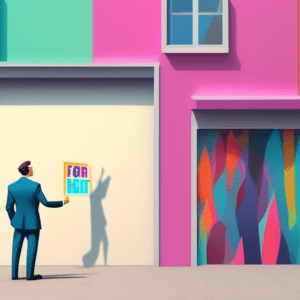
[43,31]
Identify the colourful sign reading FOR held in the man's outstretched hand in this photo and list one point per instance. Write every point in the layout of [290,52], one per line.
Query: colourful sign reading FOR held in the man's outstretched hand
[77,179]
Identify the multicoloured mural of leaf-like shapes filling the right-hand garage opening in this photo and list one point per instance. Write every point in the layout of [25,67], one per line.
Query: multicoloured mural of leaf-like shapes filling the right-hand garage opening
[248,204]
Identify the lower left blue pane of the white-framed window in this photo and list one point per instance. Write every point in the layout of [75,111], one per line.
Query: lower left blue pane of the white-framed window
[180,30]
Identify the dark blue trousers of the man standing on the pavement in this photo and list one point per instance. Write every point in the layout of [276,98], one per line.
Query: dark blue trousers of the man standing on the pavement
[33,240]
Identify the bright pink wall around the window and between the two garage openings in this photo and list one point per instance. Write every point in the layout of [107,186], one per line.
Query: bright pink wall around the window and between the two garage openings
[263,59]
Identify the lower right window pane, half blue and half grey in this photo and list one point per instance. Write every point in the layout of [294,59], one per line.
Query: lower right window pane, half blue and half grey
[210,30]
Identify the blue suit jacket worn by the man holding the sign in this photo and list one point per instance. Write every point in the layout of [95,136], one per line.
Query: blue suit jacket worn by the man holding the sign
[26,195]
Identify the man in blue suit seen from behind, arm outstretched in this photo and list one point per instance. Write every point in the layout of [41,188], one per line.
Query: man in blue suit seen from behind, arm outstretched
[26,195]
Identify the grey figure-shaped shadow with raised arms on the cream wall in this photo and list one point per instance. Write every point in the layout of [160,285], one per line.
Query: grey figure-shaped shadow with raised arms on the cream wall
[98,223]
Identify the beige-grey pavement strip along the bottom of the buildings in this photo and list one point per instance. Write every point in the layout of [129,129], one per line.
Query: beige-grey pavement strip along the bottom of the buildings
[139,282]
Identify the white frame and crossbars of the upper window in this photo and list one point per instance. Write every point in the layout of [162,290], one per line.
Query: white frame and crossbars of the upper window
[195,47]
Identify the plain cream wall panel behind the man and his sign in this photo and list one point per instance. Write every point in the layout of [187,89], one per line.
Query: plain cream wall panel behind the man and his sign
[116,138]
